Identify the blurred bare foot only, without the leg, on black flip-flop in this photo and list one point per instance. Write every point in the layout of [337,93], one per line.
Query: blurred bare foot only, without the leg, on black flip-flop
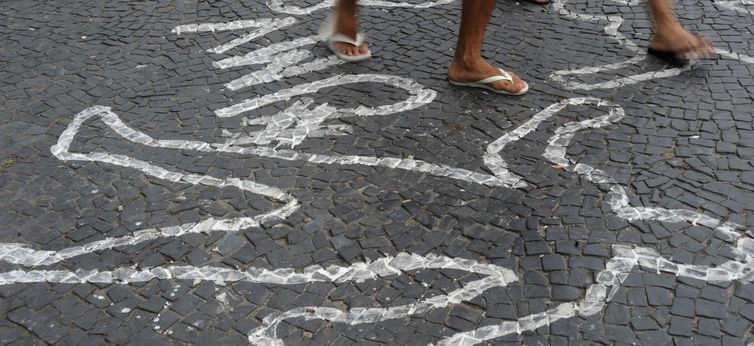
[673,38]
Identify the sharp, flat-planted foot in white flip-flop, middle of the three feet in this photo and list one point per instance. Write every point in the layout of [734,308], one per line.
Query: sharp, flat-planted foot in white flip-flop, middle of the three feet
[473,70]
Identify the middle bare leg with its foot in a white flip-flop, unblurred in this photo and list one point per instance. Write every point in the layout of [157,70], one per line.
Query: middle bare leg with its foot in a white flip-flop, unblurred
[468,64]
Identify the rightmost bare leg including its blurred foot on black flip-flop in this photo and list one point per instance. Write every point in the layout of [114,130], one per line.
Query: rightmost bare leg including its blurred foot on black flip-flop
[669,36]
